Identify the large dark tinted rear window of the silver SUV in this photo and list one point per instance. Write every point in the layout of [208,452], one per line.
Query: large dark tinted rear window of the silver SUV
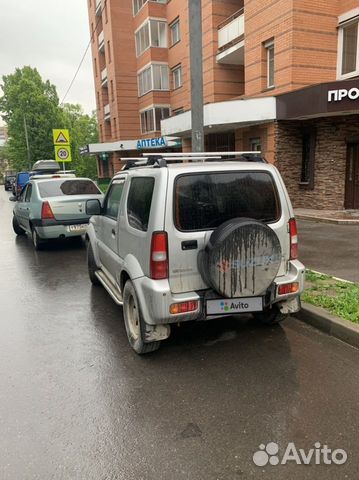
[205,201]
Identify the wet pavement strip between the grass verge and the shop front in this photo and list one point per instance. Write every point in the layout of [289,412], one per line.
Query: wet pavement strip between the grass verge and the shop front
[330,248]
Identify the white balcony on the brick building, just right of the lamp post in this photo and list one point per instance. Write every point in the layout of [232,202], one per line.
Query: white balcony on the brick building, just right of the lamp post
[231,40]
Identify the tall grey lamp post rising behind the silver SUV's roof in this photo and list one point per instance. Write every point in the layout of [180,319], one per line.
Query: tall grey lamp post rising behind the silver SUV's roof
[195,36]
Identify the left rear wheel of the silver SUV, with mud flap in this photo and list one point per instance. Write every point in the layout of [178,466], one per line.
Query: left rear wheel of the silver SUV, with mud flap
[134,323]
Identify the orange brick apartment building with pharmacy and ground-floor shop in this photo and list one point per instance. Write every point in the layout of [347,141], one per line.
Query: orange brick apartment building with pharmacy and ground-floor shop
[280,76]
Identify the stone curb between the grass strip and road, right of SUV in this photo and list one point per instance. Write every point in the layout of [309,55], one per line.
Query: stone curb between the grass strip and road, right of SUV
[328,323]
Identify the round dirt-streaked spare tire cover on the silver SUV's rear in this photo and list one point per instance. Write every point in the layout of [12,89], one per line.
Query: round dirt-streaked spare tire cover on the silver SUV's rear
[242,258]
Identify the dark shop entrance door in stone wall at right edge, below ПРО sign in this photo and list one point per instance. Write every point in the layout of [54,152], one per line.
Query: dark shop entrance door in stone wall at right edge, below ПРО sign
[352,177]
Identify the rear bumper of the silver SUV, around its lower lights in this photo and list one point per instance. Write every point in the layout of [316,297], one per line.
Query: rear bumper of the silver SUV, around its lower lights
[155,298]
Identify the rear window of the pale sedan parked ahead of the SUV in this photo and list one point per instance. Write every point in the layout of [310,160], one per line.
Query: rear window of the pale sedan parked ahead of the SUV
[57,188]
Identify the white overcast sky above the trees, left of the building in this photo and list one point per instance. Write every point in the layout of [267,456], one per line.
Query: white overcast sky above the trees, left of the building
[52,36]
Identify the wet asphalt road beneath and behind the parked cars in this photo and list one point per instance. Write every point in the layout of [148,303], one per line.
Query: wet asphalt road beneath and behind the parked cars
[77,403]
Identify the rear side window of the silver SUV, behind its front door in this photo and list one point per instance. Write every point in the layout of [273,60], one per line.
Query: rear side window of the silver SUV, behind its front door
[139,202]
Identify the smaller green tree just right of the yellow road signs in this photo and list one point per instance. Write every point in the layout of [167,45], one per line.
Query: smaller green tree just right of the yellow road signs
[83,130]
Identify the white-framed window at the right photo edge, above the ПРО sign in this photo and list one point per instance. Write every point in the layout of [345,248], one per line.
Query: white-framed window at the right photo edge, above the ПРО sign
[348,50]
